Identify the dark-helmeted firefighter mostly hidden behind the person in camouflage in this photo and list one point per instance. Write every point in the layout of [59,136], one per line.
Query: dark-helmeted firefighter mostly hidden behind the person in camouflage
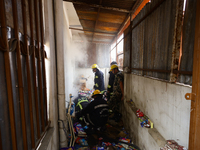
[110,82]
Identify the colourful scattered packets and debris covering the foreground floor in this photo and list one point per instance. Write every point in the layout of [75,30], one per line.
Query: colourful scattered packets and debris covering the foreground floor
[109,138]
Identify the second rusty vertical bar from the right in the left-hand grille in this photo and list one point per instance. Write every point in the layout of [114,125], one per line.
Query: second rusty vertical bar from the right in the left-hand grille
[39,63]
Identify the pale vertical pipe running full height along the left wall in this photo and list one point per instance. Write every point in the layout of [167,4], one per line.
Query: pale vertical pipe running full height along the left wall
[59,48]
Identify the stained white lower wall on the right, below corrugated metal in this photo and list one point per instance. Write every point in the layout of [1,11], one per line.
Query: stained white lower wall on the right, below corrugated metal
[164,103]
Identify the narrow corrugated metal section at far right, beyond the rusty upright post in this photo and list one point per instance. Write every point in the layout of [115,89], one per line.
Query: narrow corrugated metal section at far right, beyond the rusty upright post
[188,41]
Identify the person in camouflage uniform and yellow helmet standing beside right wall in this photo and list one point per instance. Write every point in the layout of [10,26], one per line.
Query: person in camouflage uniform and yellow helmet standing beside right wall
[118,92]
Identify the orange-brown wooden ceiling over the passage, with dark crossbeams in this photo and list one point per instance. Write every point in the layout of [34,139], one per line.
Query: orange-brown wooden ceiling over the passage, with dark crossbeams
[102,20]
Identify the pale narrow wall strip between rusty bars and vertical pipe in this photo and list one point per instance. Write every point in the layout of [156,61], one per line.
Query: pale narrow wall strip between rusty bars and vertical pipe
[51,71]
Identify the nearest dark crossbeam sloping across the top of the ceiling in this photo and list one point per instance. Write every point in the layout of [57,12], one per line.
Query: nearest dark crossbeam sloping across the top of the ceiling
[98,6]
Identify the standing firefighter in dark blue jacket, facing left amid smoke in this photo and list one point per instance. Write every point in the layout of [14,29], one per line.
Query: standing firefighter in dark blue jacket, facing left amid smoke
[98,78]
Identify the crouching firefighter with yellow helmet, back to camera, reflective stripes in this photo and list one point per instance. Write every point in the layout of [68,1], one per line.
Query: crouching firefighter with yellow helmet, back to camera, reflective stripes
[96,112]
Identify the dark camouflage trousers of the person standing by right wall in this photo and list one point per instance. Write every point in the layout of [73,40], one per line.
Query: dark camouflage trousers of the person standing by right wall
[115,102]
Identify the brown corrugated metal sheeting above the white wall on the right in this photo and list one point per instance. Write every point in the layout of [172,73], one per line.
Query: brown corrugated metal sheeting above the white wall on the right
[152,40]
